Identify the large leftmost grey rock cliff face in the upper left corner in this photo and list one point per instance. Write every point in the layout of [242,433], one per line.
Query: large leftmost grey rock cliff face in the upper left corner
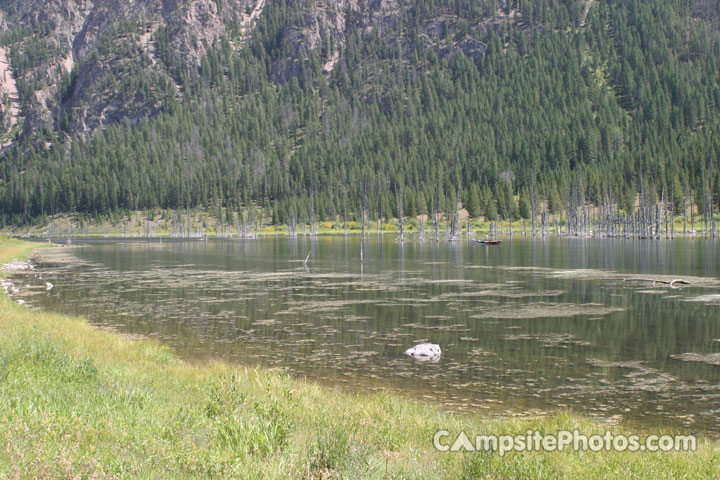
[68,58]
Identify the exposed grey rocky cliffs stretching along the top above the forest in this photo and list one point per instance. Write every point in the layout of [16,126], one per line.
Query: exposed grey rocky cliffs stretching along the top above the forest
[78,65]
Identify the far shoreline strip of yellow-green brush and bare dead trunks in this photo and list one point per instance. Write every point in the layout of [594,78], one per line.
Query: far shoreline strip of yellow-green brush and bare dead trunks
[256,223]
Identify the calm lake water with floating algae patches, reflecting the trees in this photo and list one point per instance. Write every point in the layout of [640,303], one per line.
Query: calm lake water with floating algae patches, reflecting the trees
[526,327]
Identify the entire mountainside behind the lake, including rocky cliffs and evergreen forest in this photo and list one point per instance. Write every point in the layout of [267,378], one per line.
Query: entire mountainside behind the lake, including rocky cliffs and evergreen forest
[327,108]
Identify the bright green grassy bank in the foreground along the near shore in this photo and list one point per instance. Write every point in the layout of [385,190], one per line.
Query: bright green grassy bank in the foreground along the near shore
[80,402]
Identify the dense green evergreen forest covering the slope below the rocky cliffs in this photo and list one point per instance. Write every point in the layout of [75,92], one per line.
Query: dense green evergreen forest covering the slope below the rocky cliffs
[558,104]
